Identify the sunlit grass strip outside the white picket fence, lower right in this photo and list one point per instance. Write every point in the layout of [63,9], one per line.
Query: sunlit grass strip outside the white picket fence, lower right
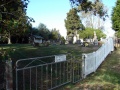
[107,77]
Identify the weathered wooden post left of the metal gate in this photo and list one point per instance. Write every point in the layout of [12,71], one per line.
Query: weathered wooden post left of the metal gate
[8,75]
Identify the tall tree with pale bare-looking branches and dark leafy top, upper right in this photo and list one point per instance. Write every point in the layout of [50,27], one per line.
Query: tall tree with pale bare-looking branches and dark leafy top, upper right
[94,14]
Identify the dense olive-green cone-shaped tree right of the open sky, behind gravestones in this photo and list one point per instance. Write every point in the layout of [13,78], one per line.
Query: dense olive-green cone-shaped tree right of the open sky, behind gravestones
[73,22]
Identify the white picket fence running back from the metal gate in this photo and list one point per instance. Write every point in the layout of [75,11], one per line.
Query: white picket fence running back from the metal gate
[92,61]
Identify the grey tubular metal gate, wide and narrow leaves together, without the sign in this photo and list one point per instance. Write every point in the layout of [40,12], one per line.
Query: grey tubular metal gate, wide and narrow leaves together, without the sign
[43,73]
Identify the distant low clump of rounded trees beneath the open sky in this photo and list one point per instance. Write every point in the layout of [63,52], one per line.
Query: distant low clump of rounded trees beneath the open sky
[46,33]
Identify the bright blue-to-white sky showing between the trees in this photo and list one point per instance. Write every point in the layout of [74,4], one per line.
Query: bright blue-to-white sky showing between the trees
[52,13]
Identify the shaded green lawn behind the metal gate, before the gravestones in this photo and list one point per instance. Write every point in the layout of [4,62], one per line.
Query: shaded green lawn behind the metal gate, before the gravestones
[22,51]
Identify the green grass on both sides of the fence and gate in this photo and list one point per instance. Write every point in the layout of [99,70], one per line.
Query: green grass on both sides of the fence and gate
[107,77]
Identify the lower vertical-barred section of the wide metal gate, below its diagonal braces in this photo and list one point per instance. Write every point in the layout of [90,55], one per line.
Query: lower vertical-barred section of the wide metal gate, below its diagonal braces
[43,77]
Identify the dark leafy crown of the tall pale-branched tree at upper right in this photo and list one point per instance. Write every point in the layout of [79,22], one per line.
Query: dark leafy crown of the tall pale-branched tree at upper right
[94,8]
